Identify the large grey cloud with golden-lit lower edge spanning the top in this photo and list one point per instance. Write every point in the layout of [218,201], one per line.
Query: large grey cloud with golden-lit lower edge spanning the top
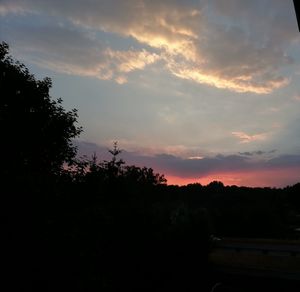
[224,45]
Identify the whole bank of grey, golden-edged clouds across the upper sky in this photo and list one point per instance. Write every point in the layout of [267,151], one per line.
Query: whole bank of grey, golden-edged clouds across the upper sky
[198,41]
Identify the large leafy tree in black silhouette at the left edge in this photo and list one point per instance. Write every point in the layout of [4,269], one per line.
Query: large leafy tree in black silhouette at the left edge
[36,131]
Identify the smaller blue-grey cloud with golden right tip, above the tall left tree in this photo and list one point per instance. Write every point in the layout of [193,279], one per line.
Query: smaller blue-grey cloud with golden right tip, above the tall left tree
[67,50]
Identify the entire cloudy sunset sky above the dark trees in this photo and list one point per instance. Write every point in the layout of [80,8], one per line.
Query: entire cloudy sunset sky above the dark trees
[198,90]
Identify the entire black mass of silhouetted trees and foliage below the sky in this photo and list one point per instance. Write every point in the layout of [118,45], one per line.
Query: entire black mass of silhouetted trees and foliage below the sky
[86,224]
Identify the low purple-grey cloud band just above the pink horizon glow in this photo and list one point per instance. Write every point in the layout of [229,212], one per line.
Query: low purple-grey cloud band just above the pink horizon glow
[191,168]
